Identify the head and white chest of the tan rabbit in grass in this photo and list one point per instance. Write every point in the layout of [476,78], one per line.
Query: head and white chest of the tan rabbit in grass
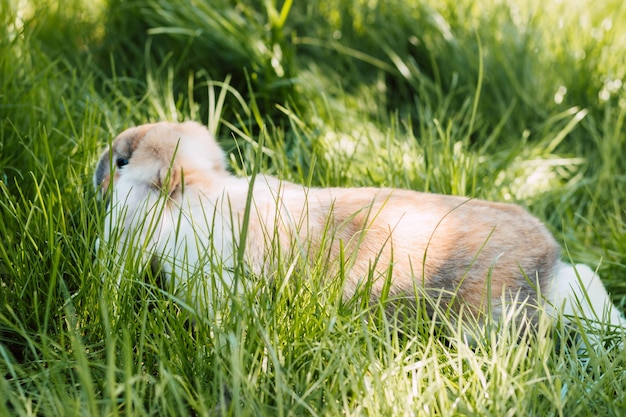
[145,176]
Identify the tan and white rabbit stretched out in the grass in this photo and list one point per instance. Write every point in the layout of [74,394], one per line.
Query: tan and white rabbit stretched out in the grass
[171,196]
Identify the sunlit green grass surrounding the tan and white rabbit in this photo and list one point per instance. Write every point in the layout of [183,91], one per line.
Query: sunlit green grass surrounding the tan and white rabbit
[520,101]
